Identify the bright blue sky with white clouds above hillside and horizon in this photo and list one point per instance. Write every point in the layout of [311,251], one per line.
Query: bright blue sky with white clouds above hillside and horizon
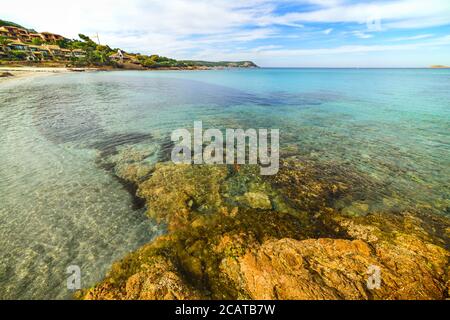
[282,33]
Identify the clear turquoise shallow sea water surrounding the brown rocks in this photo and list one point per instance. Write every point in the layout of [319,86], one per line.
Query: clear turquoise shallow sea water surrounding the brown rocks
[58,207]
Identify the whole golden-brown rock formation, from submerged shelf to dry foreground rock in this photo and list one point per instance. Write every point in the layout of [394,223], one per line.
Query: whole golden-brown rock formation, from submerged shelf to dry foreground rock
[232,234]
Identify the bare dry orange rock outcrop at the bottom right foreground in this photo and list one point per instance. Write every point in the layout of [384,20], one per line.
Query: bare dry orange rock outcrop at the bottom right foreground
[338,269]
